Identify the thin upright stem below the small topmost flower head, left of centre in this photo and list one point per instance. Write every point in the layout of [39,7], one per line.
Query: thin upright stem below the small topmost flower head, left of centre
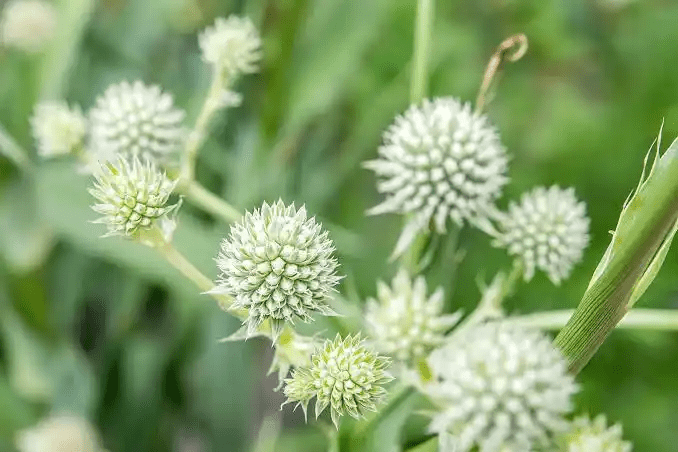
[197,136]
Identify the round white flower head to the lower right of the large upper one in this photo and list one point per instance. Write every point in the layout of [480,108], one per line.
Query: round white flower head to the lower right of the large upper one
[547,230]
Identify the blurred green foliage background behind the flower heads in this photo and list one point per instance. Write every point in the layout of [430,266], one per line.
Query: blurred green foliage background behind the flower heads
[104,329]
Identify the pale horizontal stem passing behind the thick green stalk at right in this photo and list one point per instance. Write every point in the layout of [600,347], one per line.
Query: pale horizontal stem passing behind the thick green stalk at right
[647,319]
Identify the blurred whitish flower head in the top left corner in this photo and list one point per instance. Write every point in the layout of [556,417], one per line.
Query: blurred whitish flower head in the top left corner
[27,25]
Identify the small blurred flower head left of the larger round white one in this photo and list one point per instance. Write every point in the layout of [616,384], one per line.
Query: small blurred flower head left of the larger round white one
[58,129]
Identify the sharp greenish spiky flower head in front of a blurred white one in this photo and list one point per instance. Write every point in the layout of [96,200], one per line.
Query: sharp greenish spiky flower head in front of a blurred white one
[132,197]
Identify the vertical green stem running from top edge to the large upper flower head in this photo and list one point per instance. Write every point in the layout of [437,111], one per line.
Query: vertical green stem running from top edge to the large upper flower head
[422,47]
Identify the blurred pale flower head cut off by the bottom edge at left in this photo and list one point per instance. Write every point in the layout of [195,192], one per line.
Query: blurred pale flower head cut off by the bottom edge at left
[59,433]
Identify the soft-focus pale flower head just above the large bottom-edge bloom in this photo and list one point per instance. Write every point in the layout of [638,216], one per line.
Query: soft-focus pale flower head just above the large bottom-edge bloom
[404,322]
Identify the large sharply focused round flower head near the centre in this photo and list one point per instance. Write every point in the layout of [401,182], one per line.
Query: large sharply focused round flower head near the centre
[277,264]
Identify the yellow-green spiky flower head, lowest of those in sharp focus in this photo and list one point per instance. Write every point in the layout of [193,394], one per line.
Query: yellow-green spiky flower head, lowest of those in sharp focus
[344,375]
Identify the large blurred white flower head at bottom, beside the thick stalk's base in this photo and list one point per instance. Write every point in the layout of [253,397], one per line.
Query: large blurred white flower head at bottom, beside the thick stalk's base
[499,388]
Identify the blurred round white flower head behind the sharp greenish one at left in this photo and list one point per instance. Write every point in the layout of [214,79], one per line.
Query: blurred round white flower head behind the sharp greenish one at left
[136,120]
